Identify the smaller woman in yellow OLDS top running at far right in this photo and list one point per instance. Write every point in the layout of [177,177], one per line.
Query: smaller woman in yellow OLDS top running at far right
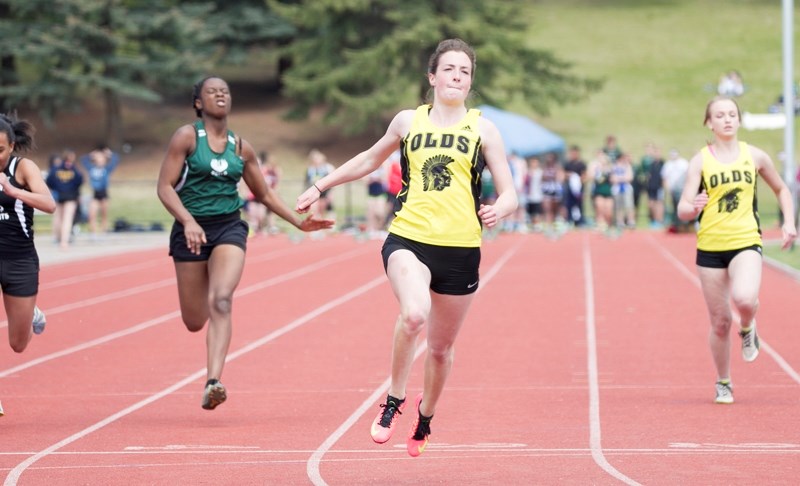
[720,192]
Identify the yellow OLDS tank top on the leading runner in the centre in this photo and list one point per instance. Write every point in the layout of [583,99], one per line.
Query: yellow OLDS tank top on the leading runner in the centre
[441,169]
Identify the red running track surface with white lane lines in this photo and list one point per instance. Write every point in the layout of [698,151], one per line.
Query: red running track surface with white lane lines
[583,361]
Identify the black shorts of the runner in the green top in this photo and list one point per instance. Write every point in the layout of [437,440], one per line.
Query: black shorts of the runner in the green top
[228,229]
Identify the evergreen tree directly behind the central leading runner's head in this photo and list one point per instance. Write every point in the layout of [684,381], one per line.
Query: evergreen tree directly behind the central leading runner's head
[364,58]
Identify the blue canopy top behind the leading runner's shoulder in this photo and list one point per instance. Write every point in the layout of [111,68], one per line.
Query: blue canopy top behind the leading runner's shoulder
[522,135]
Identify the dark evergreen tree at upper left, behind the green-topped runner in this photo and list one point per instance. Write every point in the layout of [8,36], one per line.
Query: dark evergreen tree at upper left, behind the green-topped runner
[55,54]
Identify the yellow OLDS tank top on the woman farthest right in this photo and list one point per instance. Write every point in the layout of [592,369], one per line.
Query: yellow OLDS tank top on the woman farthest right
[730,219]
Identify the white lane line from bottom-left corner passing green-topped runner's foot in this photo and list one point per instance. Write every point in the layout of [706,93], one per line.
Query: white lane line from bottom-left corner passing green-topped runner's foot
[14,474]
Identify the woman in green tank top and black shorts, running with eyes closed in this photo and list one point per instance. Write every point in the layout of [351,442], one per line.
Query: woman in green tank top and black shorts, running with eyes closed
[198,186]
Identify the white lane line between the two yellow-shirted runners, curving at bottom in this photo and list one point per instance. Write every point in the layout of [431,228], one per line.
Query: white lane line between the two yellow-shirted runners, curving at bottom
[595,442]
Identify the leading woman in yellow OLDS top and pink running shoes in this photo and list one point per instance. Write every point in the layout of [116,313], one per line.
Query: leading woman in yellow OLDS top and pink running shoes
[432,252]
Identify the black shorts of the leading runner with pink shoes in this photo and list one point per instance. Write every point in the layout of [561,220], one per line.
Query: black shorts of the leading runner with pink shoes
[454,270]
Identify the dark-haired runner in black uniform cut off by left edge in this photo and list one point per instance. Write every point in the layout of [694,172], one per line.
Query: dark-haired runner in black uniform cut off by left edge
[22,190]
